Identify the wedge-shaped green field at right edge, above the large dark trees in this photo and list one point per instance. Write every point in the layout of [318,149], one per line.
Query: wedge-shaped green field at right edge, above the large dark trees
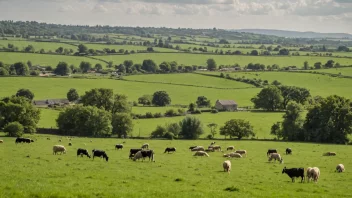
[316,83]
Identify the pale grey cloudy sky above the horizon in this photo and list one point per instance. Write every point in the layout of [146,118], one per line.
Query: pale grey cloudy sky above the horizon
[297,15]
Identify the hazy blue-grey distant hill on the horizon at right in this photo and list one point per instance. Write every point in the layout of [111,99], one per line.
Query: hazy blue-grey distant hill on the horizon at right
[296,34]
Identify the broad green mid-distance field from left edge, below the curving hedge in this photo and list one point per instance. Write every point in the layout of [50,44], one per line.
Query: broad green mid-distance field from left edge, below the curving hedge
[46,88]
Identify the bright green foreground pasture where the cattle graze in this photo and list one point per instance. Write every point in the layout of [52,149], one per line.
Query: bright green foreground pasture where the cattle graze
[31,170]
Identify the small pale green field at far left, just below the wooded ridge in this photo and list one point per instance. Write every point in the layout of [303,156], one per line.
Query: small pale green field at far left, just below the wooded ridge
[47,46]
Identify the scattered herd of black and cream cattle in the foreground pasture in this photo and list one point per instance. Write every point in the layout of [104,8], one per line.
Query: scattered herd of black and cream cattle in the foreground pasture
[312,173]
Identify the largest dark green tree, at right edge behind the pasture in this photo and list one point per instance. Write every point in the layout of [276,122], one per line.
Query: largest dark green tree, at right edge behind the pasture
[329,121]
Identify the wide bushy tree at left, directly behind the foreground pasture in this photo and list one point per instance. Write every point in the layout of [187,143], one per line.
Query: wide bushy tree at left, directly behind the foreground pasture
[84,121]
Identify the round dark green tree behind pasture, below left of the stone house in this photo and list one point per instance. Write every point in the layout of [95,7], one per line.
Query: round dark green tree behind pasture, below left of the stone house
[191,128]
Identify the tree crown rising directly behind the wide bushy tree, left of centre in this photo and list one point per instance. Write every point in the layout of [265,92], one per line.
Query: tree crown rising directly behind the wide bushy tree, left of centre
[101,98]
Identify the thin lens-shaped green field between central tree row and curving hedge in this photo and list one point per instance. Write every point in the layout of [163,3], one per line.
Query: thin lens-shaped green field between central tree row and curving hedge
[190,79]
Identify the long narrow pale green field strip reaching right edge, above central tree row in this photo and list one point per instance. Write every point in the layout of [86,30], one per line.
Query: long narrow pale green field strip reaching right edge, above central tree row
[200,59]
